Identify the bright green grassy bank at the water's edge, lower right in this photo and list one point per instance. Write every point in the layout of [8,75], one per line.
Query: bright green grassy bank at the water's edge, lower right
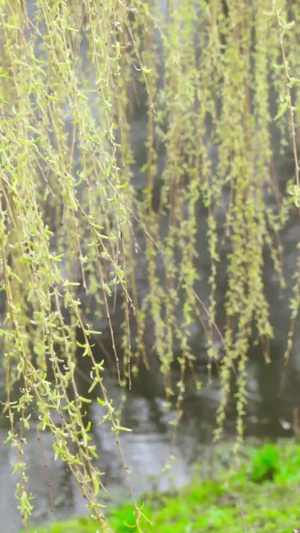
[262,495]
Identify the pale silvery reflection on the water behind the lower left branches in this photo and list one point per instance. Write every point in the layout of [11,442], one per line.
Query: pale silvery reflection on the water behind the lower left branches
[146,449]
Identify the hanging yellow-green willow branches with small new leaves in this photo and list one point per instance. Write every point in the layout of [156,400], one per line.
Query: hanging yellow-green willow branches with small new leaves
[74,230]
